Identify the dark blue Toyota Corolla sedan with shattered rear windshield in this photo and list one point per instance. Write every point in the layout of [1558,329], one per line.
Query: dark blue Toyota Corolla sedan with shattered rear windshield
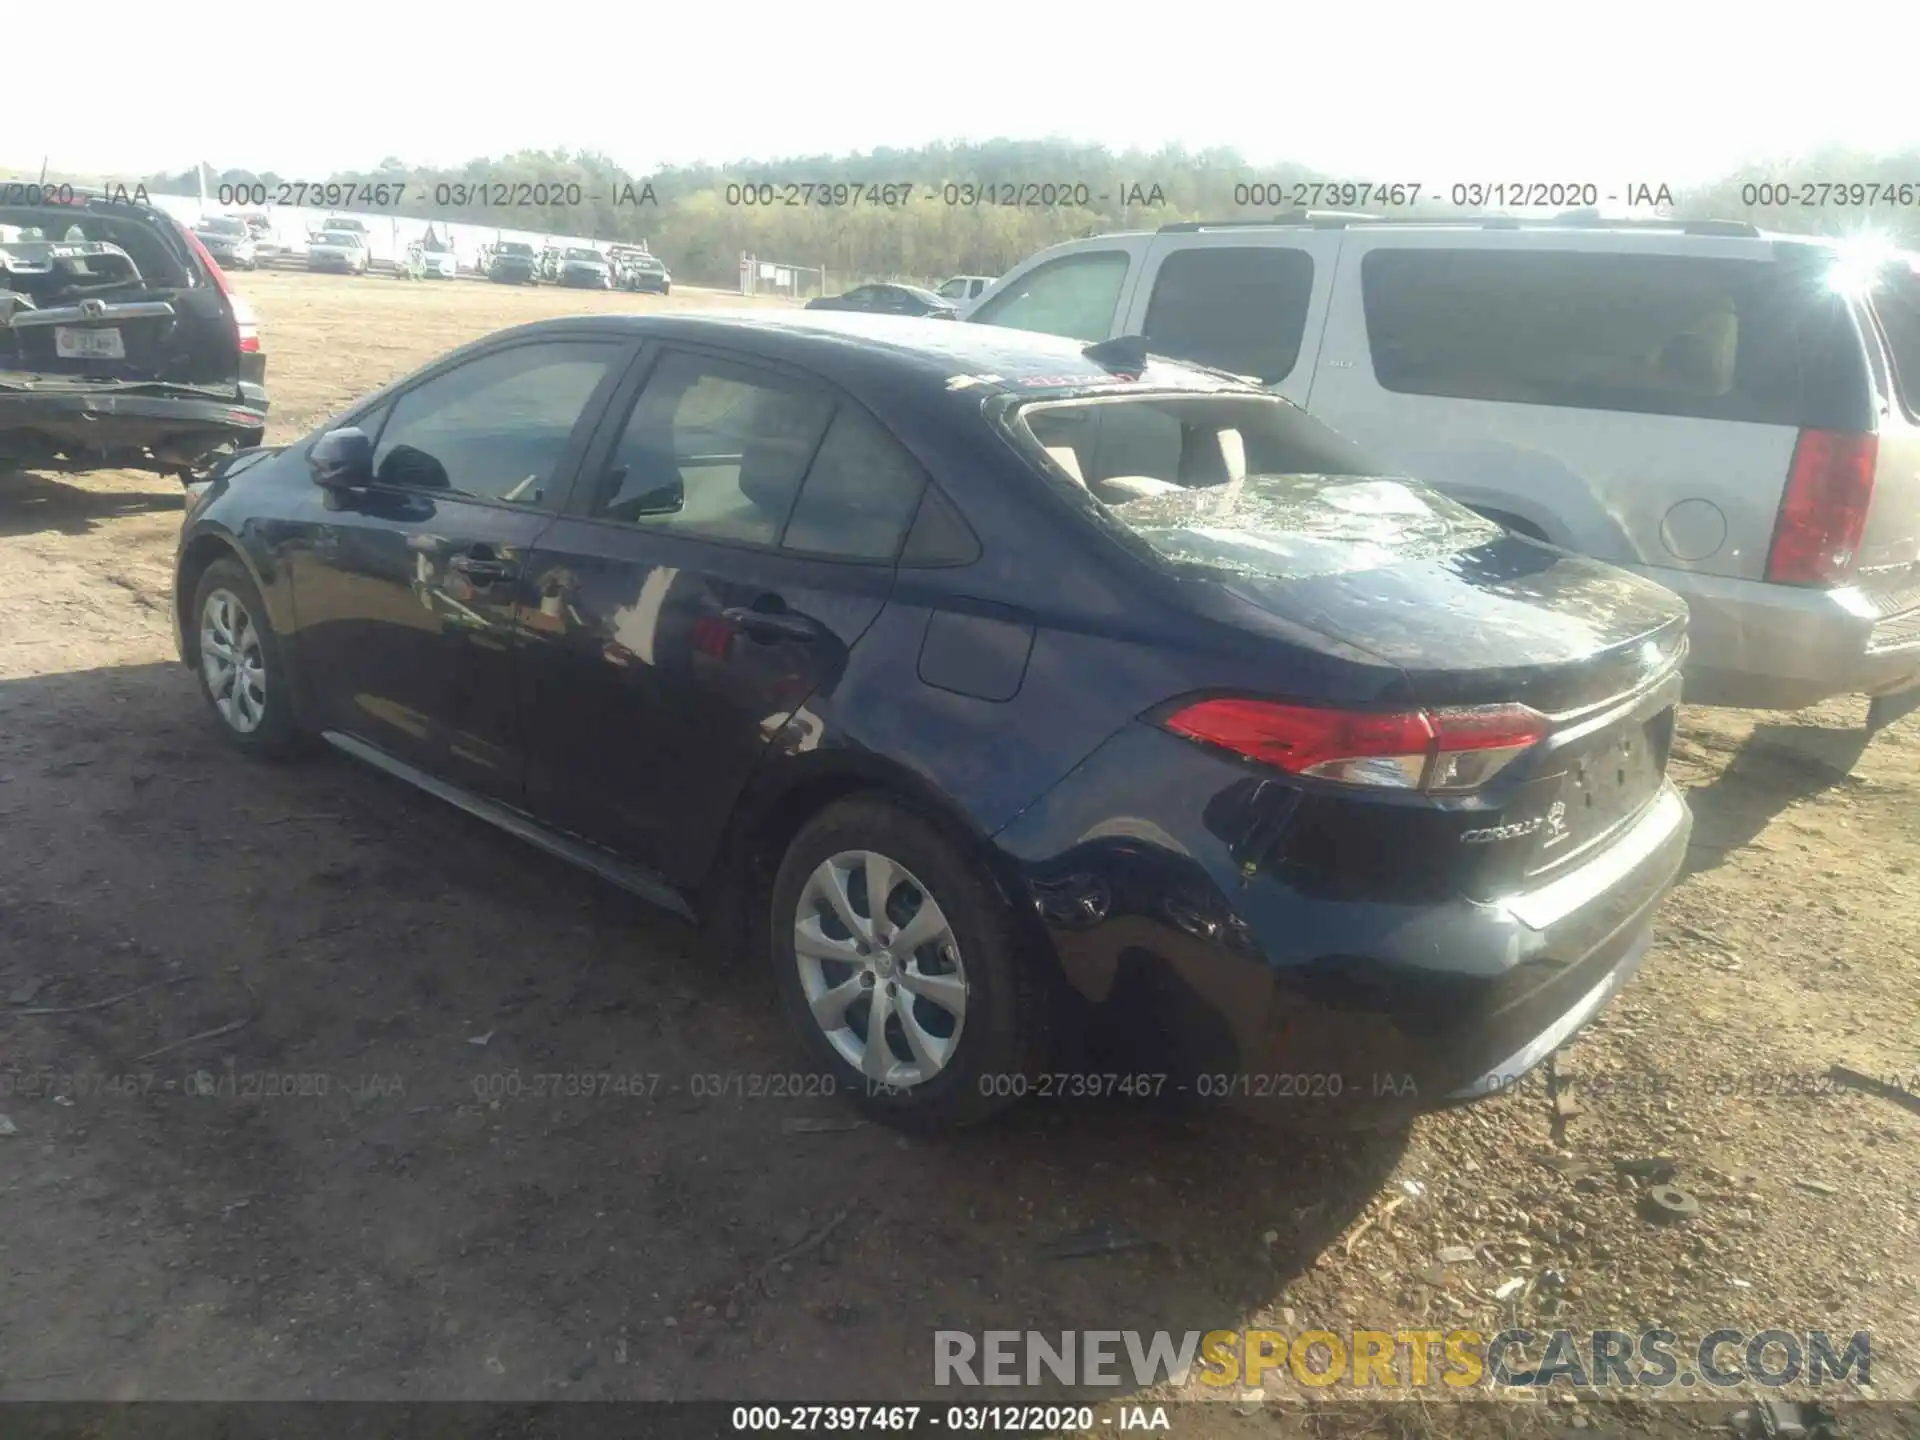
[992,686]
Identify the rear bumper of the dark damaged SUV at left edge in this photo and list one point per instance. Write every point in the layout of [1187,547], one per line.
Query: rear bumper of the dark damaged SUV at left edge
[99,429]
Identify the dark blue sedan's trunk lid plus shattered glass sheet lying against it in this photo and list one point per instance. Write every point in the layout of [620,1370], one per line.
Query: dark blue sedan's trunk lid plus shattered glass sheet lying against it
[1470,615]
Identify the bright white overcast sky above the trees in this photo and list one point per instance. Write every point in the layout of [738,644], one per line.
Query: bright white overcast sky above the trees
[1376,91]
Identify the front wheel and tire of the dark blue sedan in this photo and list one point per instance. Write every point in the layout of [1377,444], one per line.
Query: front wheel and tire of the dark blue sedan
[239,663]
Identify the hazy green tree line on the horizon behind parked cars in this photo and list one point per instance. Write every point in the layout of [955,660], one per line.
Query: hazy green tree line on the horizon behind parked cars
[980,208]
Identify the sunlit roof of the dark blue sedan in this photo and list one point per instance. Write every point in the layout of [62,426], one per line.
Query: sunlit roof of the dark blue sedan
[863,352]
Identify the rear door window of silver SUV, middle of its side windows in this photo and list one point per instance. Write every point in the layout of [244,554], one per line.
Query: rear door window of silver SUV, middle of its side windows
[1243,310]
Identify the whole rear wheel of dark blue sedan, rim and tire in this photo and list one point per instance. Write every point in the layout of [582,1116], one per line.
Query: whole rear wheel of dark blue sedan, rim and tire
[900,965]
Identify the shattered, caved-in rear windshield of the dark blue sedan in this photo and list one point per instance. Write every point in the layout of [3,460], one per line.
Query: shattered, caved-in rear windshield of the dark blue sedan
[1241,485]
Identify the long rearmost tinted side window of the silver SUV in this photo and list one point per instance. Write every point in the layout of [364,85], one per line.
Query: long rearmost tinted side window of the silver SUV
[1654,335]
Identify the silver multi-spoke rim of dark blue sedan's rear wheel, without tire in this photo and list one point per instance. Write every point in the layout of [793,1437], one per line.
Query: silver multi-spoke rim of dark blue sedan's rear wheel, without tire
[880,969]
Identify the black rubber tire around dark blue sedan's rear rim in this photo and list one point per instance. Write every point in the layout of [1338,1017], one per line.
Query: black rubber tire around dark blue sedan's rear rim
[1005,1034]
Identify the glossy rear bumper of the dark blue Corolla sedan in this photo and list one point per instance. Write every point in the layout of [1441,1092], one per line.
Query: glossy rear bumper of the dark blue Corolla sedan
[1308,1009]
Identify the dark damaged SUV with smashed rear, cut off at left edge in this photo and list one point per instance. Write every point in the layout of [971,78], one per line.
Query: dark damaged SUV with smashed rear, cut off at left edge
[122,343]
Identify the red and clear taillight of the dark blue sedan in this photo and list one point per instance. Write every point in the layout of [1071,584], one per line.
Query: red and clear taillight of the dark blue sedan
[1439,752]
